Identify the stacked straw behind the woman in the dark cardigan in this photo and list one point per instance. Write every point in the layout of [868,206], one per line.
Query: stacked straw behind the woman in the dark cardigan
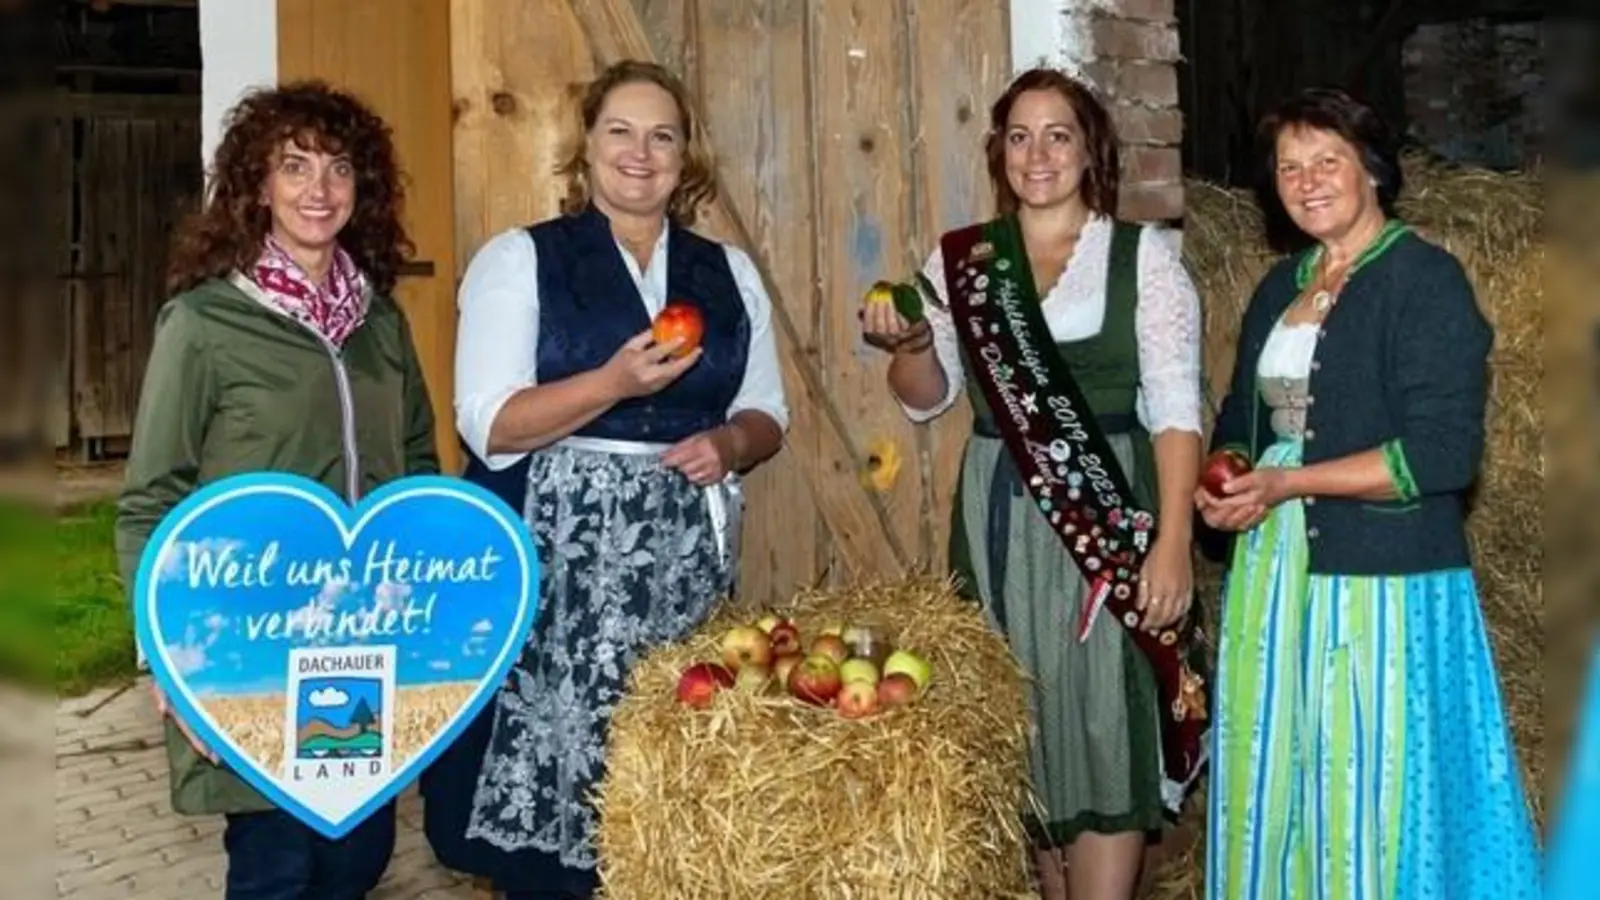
[1494,223]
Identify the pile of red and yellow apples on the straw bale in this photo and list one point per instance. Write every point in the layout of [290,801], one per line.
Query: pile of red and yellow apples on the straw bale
[847,667]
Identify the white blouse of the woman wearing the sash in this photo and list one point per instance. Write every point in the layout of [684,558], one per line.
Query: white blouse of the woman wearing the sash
[1167,324]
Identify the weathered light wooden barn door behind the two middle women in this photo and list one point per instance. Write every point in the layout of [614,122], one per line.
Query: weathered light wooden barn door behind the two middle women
[849,135]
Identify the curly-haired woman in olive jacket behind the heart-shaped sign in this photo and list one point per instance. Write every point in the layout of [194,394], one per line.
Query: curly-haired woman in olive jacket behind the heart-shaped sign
[281,348]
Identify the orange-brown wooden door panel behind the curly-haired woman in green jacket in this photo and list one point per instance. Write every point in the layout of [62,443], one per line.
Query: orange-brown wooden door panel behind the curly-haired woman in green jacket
[396,55]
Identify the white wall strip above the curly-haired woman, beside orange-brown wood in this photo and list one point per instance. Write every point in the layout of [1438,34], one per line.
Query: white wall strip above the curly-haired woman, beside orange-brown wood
[239,50]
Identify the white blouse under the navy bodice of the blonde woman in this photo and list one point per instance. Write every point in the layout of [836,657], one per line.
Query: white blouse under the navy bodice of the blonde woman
[498,334]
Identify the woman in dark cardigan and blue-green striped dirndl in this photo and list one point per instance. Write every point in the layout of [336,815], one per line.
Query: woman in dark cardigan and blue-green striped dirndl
[1361,747]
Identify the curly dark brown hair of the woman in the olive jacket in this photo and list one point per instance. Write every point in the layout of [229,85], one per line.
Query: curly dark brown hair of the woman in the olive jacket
[231,227]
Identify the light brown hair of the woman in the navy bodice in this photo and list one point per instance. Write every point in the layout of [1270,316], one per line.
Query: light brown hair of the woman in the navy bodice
[698,183]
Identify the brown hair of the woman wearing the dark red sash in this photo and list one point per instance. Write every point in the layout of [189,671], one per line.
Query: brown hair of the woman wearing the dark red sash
[1100,137]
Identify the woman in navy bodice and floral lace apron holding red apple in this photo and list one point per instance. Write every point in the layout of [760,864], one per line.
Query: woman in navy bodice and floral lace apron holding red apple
[622,454]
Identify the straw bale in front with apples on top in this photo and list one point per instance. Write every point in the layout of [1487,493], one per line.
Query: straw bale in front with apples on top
[764,797]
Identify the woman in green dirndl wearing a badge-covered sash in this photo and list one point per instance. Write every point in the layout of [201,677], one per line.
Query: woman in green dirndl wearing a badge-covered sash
[1100,352]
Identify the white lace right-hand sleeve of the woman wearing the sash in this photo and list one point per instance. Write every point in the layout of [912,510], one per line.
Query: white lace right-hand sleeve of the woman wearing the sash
[1169,334]
